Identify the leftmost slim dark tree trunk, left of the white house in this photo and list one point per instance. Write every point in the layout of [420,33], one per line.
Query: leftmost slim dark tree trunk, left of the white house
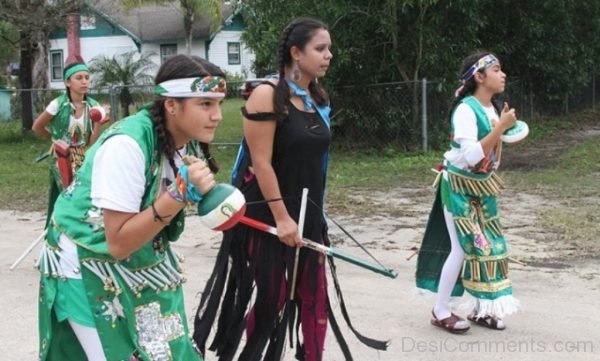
[26,82]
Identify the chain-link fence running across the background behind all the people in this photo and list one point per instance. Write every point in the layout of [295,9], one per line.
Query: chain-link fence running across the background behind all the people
[407,116]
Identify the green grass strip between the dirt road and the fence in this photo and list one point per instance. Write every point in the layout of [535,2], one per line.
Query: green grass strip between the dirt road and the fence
[572,179]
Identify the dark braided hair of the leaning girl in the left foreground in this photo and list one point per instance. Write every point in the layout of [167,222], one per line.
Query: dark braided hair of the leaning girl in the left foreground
[176,67]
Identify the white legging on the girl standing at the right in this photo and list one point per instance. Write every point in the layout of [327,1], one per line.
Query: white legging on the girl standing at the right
[450,271]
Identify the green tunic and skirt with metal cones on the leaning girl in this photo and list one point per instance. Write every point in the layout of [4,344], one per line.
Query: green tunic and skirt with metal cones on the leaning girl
[137,303]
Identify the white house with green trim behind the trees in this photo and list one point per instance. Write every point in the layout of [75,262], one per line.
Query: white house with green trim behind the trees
[106,29]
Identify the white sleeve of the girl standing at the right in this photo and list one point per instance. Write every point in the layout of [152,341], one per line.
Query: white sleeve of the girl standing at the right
[465,134]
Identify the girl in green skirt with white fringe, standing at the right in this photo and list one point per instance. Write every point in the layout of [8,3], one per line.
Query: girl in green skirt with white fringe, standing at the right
[464,247]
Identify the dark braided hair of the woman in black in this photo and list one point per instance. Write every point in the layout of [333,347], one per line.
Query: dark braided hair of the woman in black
[297,33]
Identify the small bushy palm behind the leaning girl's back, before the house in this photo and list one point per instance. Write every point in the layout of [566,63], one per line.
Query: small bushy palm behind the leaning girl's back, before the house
[123,70]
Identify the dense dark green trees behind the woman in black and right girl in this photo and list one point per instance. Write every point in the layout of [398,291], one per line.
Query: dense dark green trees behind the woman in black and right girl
[550,46]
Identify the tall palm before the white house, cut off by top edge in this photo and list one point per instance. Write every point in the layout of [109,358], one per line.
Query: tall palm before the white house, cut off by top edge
[191,10]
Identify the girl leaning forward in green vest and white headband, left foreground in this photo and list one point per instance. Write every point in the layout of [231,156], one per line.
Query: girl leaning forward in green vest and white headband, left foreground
[111,283]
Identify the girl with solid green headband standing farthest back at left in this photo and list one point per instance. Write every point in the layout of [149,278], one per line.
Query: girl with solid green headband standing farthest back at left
[67,124]
